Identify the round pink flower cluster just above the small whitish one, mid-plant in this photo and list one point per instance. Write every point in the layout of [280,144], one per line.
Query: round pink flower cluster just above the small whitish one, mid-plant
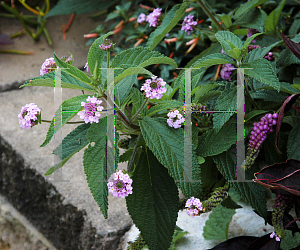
[153,87]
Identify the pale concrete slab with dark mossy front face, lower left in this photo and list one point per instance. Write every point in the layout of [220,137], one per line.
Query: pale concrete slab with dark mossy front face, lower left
[64,212]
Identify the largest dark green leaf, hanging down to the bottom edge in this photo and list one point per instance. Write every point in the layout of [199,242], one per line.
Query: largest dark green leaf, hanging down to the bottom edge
[153,205]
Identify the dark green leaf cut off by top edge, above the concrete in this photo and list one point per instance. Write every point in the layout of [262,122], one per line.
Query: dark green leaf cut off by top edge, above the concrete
[64,7]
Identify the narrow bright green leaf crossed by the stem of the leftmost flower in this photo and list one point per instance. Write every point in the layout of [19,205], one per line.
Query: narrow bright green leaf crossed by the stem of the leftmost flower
[74,105]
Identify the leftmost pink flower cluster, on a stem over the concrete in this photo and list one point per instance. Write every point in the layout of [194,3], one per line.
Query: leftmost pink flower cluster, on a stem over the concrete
[28,115]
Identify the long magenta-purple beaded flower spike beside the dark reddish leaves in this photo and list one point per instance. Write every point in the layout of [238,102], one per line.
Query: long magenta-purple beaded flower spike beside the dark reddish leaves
[258,135]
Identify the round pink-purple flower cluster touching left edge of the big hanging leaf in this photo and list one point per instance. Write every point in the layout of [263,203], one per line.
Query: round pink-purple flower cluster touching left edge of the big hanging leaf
[119,184]
